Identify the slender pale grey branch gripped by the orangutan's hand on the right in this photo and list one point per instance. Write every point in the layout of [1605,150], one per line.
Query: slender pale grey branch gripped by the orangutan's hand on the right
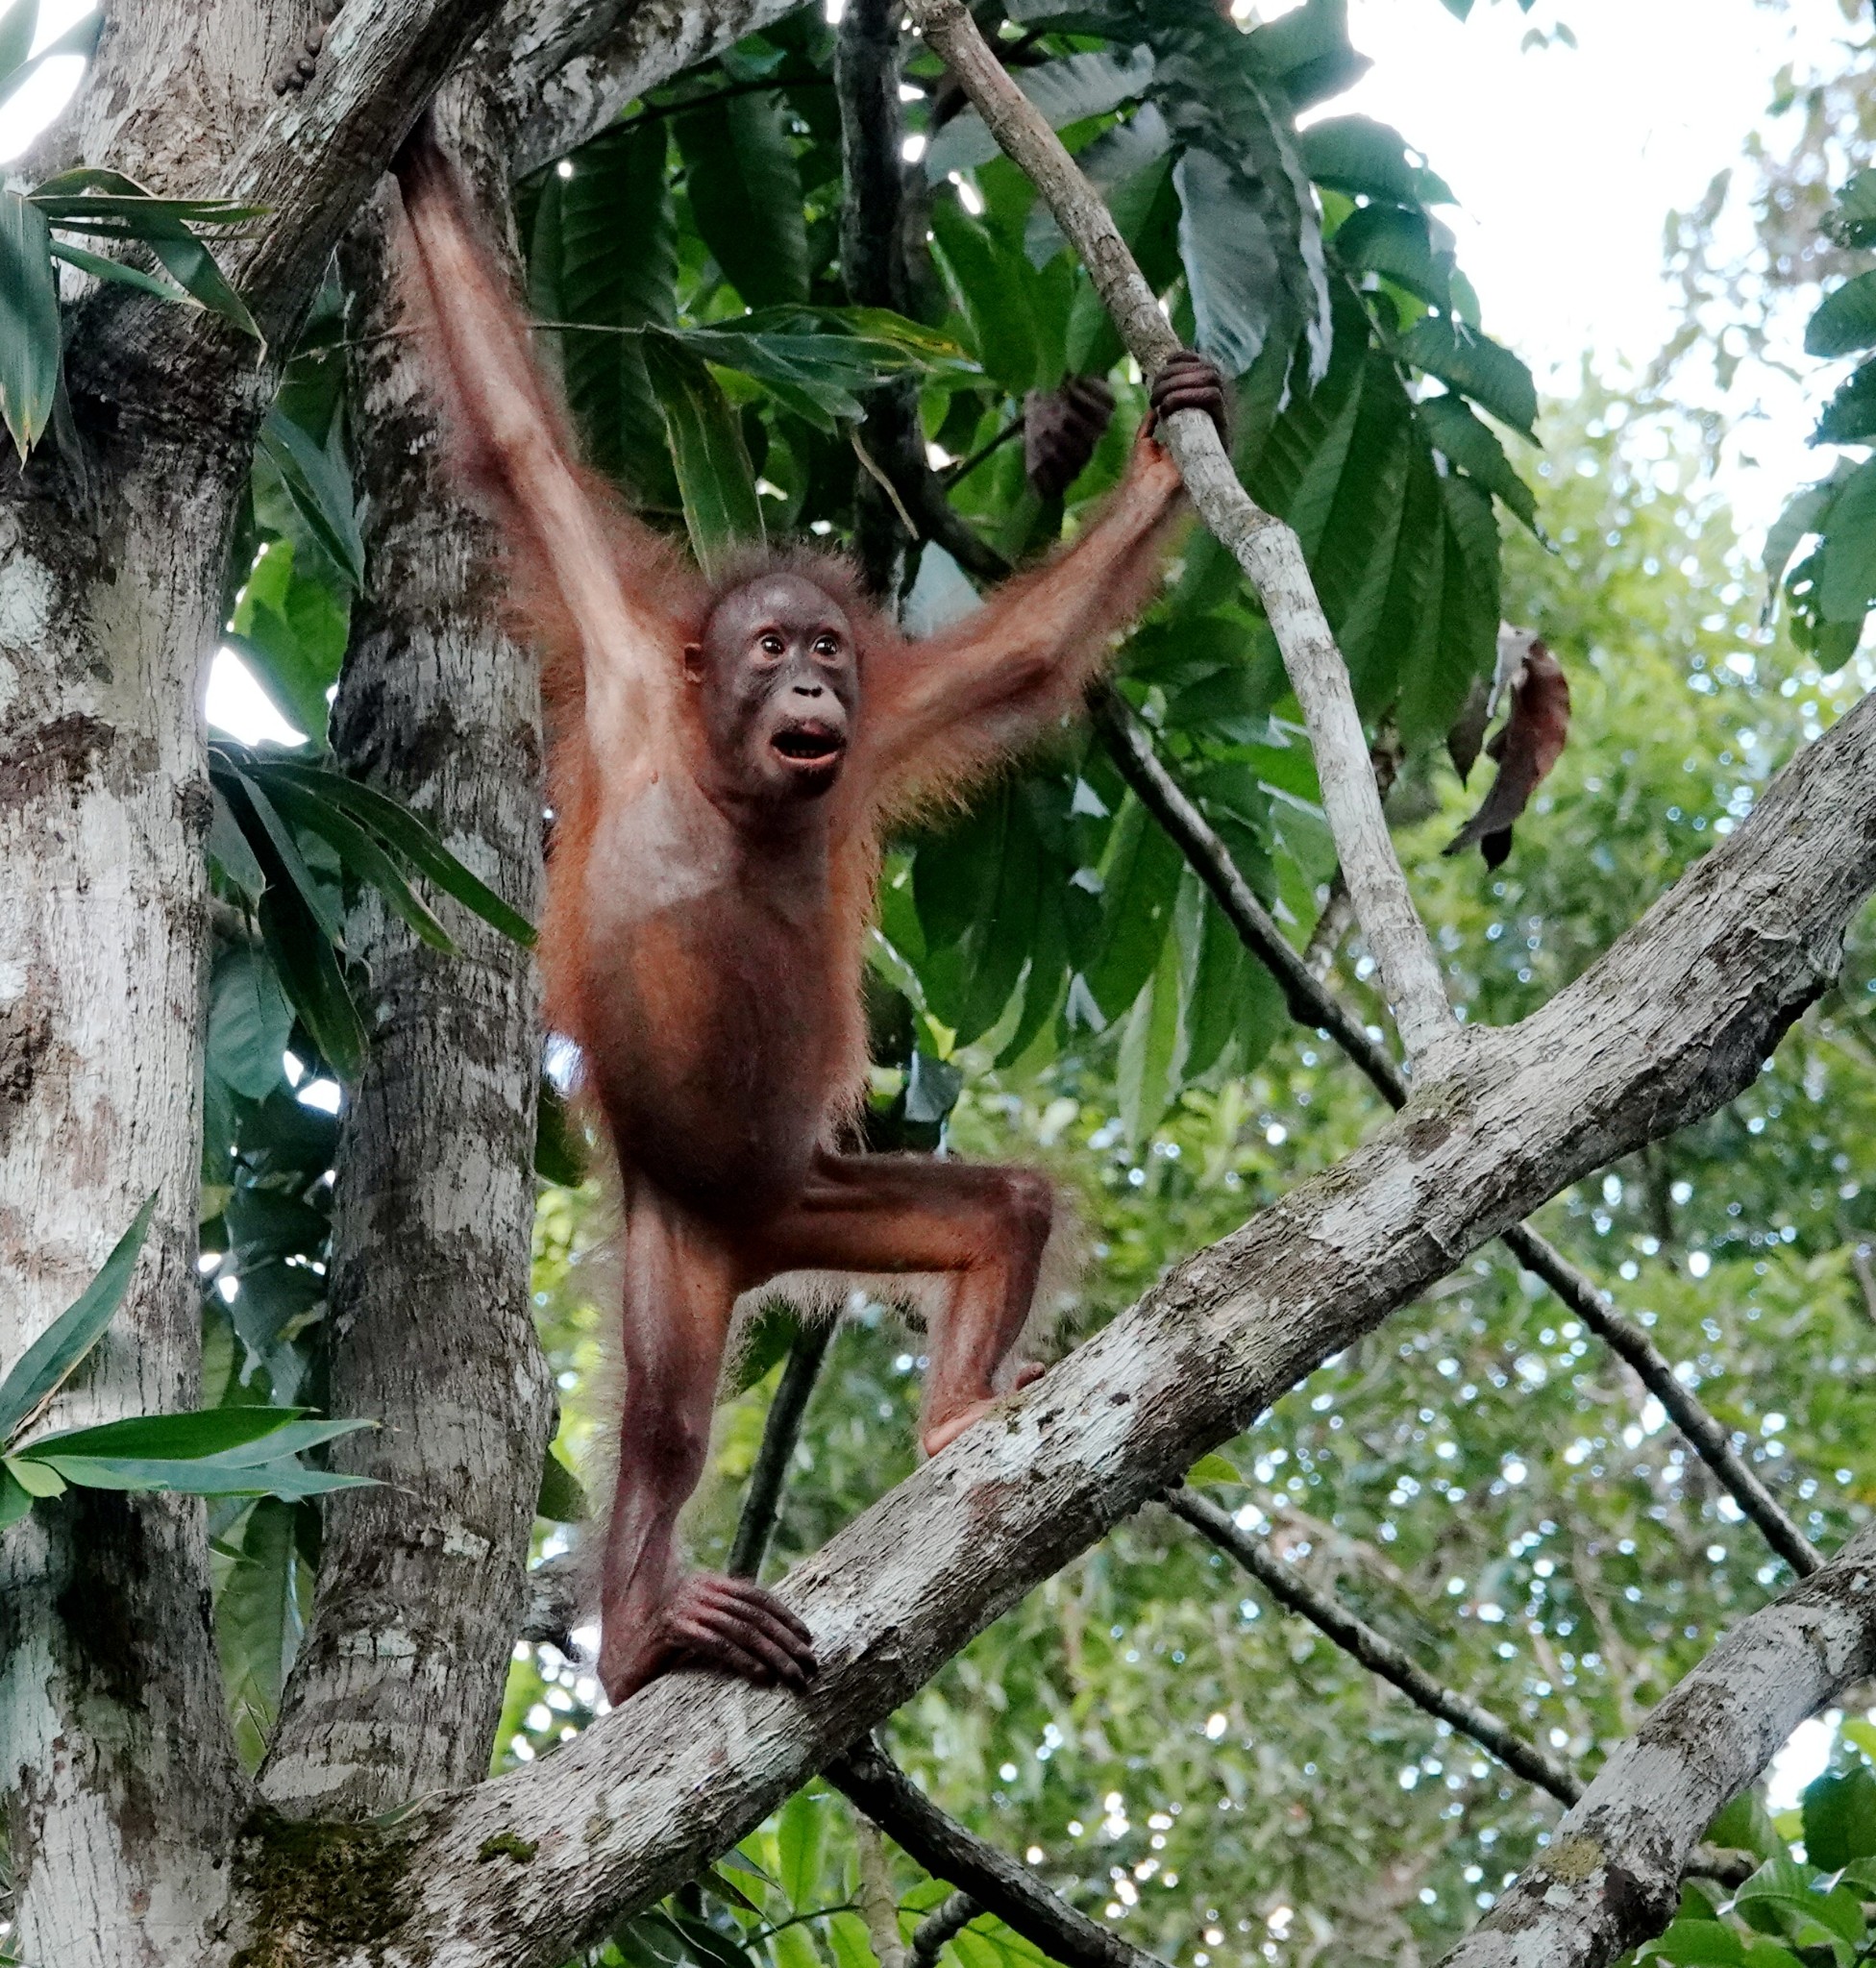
[1263,546]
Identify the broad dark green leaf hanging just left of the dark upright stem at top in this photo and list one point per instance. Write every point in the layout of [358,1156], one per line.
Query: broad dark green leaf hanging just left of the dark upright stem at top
[747,196]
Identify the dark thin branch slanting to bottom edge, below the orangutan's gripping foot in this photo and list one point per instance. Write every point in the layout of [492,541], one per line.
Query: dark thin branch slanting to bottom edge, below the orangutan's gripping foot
[995,1880]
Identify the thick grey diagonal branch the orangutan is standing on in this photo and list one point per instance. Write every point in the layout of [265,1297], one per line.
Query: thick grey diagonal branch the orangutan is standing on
[1670,1024]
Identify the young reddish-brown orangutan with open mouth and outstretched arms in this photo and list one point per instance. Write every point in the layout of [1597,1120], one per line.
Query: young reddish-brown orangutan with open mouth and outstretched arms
[725,761]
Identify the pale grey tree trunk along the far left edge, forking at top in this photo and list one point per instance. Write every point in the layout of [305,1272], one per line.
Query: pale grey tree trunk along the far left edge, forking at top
[115,1751]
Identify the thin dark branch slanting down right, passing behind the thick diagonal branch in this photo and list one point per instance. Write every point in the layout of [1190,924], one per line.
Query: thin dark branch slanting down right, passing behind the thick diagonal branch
[1314,1005]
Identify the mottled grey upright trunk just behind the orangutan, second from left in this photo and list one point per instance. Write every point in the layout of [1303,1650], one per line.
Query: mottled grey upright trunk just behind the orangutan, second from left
[420,1591]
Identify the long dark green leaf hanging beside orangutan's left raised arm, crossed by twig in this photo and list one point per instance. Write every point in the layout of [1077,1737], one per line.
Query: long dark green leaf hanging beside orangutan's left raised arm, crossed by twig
[601,251]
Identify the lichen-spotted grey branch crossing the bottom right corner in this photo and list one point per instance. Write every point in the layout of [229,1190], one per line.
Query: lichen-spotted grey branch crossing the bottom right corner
[1611,1875]
